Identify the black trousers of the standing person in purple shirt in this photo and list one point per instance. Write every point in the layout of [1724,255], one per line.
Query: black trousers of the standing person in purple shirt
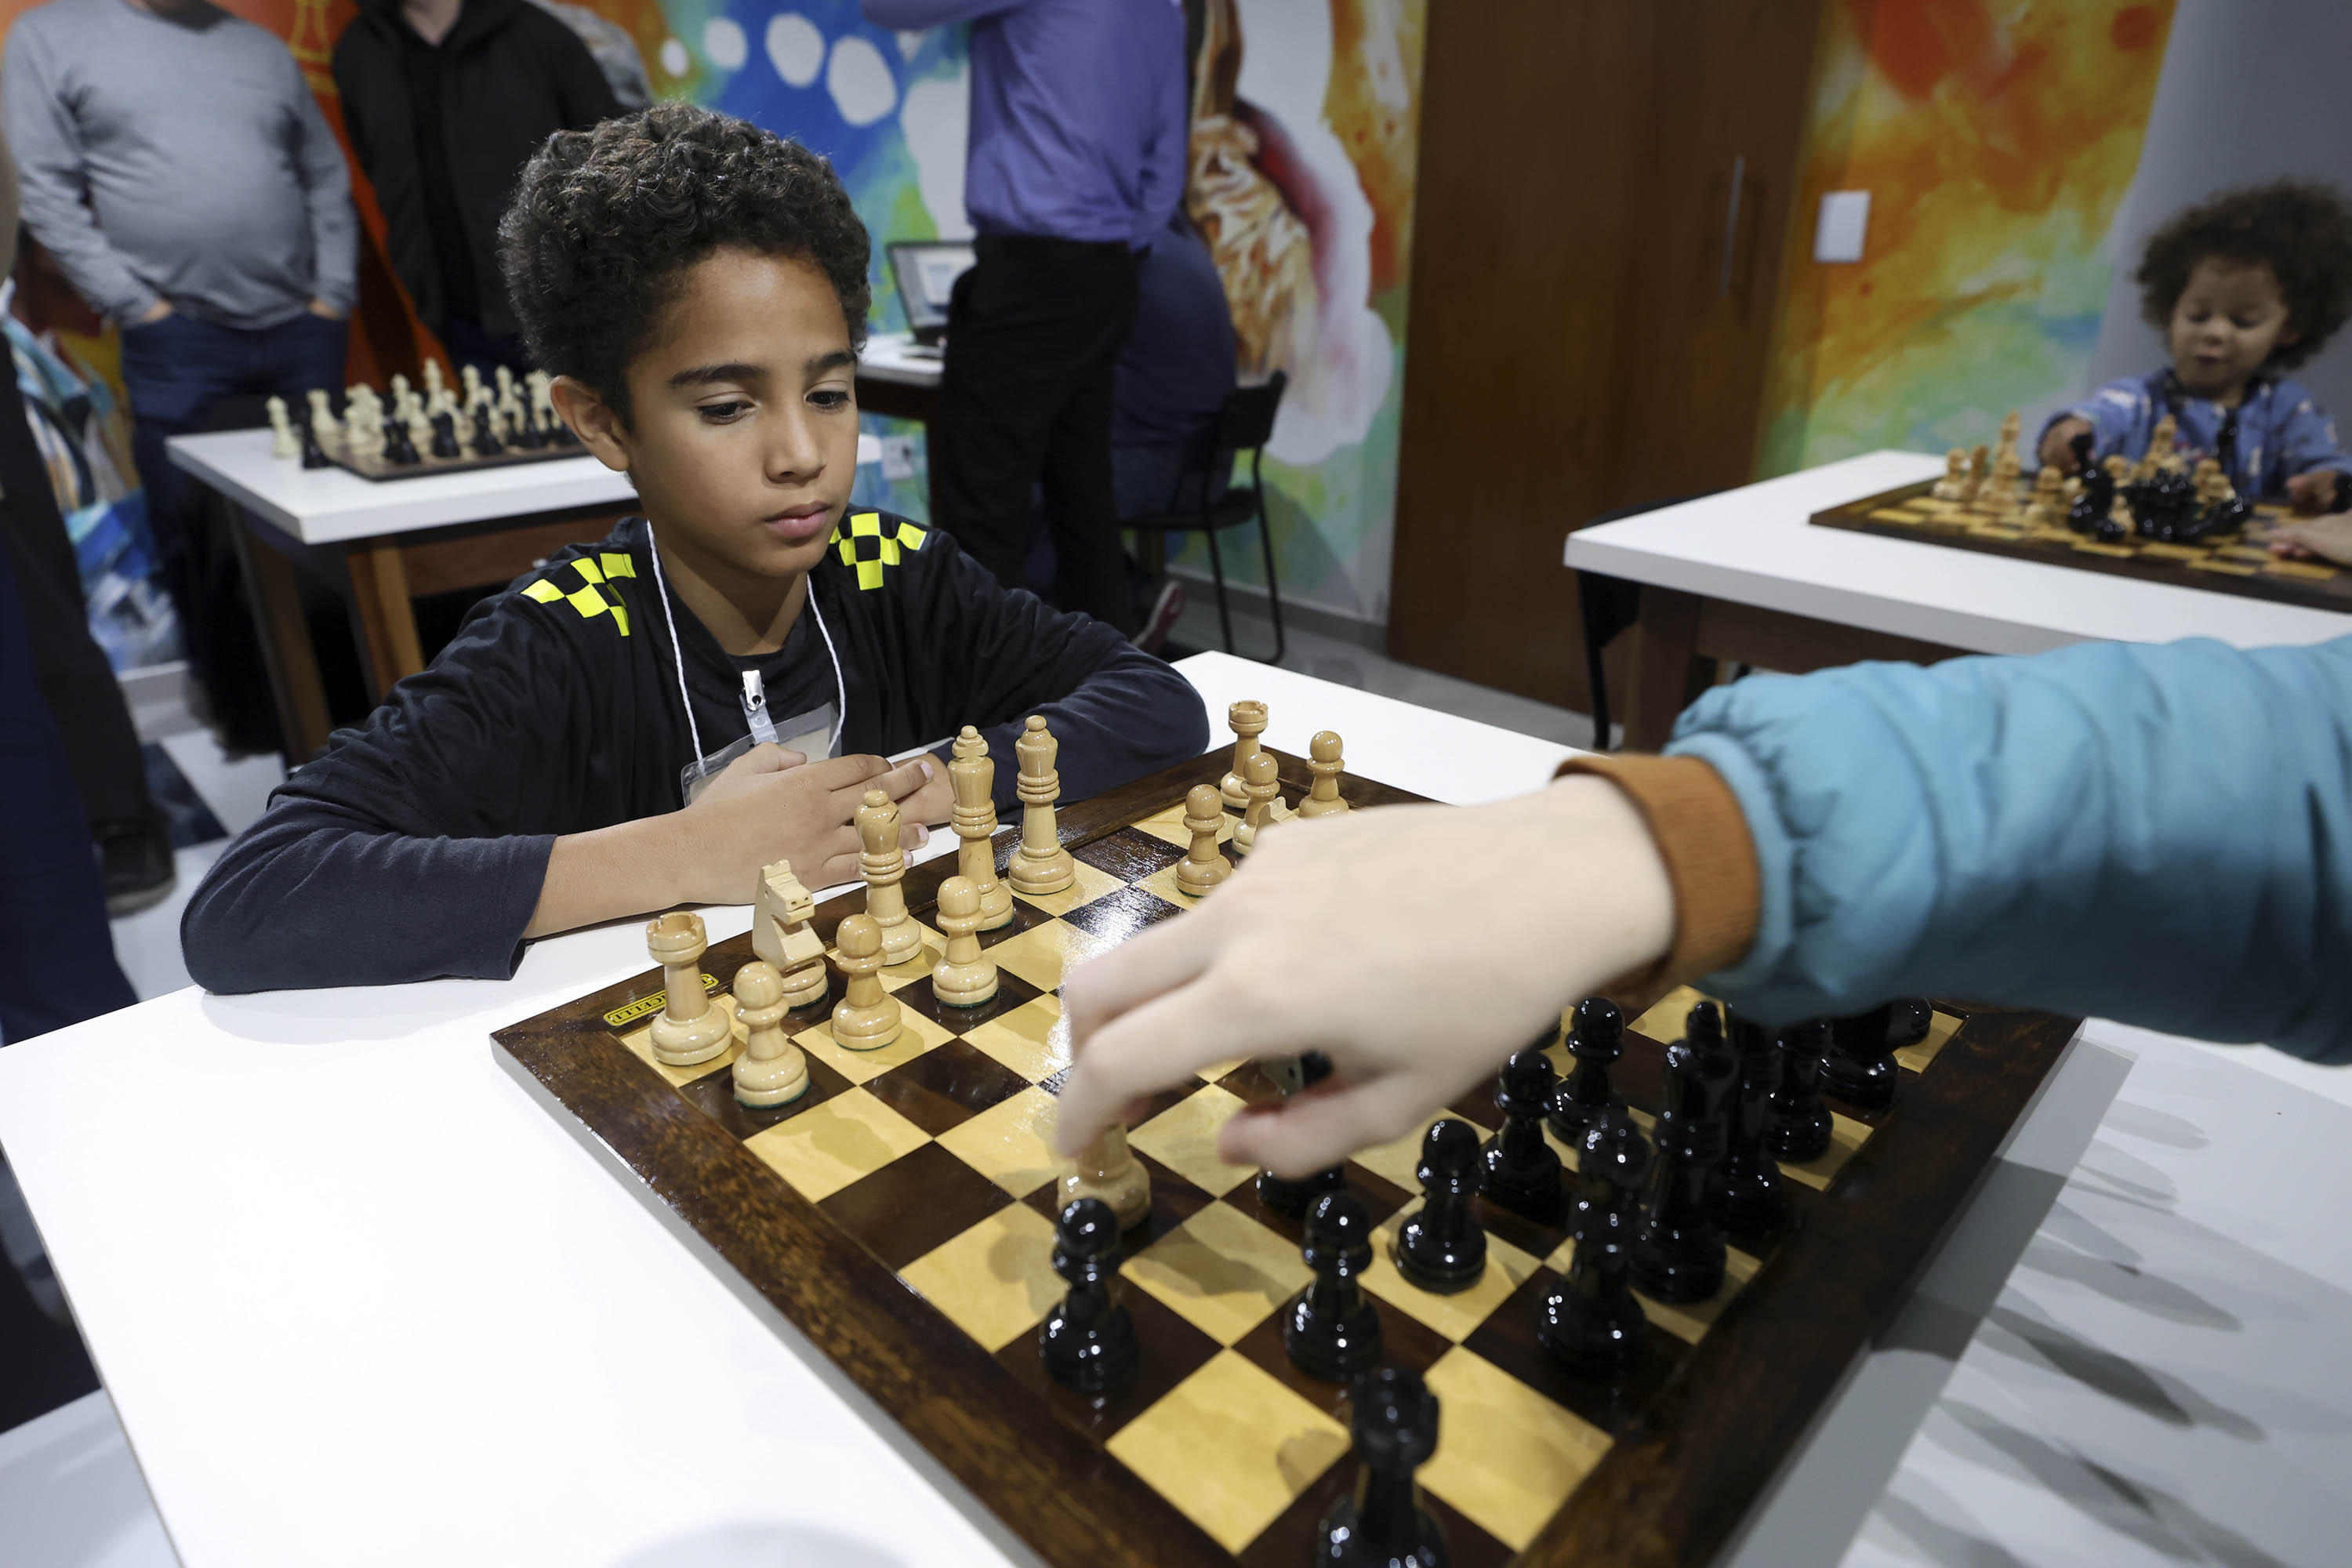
[1024,403]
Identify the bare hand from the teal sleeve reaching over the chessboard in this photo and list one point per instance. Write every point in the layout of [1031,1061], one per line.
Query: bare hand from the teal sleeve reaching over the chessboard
[1415,946]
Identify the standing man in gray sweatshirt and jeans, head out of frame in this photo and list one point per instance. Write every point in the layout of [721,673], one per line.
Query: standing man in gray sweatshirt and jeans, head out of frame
[180,170]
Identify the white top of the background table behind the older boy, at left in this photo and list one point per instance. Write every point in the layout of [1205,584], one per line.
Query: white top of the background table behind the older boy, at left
[328,507]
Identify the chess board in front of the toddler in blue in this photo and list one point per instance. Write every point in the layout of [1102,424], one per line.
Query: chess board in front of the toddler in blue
[1998,525]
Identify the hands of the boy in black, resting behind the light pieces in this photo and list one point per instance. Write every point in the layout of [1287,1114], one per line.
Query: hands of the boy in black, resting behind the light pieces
[770,805]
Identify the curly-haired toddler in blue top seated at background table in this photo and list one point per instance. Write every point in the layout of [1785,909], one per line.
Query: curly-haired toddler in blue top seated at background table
[2245,288]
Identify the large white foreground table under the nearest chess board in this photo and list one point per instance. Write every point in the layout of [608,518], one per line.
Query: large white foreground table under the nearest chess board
[359,1299]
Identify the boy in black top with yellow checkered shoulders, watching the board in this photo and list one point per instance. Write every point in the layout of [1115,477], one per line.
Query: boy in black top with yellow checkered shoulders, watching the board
[603,739]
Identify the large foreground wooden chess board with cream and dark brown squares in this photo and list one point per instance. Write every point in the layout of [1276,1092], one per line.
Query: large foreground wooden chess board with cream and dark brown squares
[900,1219]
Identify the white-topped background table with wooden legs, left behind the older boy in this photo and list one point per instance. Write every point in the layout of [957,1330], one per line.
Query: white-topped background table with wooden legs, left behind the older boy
[385,544]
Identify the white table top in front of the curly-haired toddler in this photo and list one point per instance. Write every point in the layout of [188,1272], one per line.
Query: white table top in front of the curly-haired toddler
[1756,547]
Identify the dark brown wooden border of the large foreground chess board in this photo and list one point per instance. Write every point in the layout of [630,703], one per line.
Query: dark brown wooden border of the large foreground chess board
[1676,1485]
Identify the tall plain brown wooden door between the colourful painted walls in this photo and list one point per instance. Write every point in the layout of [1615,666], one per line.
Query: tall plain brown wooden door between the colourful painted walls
[1589,309]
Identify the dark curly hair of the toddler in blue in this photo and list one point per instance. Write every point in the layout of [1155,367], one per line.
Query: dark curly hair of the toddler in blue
[2299,229]
